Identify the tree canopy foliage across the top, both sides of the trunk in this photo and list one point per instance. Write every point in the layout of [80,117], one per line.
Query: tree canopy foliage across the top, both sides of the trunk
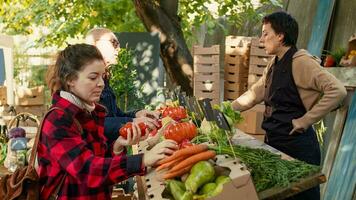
[66,19]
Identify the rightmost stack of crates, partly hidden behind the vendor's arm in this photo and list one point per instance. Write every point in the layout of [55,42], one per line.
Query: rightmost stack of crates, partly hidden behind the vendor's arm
[253,117]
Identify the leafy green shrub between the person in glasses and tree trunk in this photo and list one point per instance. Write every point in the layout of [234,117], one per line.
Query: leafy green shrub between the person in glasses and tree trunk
[123,81]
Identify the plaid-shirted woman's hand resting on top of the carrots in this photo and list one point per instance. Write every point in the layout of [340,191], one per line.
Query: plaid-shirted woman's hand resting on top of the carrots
[158,152]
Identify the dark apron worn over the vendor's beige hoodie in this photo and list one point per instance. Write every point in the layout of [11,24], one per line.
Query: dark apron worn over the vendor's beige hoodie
[283,104]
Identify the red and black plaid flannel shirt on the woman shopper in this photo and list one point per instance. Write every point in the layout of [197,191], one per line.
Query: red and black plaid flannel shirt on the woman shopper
[83,157]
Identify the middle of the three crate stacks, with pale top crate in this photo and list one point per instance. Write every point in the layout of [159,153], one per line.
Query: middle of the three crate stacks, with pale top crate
[236,66]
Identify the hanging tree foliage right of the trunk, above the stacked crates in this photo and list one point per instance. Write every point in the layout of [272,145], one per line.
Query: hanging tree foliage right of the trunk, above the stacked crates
[235,14]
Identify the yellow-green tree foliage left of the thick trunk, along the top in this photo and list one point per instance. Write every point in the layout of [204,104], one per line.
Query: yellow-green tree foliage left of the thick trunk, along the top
[66,19]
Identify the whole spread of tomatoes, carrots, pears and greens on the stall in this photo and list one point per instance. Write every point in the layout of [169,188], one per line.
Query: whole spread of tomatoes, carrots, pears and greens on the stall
[189,172]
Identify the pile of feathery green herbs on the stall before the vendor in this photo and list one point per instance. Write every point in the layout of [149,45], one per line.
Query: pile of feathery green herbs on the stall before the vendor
[268,169]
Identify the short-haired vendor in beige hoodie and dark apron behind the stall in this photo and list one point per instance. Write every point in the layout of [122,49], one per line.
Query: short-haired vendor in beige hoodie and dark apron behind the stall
[291,88]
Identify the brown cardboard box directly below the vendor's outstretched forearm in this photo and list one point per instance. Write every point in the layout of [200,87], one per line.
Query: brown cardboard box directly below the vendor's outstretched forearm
[253,119]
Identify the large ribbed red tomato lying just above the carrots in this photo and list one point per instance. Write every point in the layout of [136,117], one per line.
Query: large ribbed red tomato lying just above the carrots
[180,131]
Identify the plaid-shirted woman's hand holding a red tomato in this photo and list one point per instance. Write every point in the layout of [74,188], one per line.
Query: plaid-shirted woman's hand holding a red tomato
[132,138]
